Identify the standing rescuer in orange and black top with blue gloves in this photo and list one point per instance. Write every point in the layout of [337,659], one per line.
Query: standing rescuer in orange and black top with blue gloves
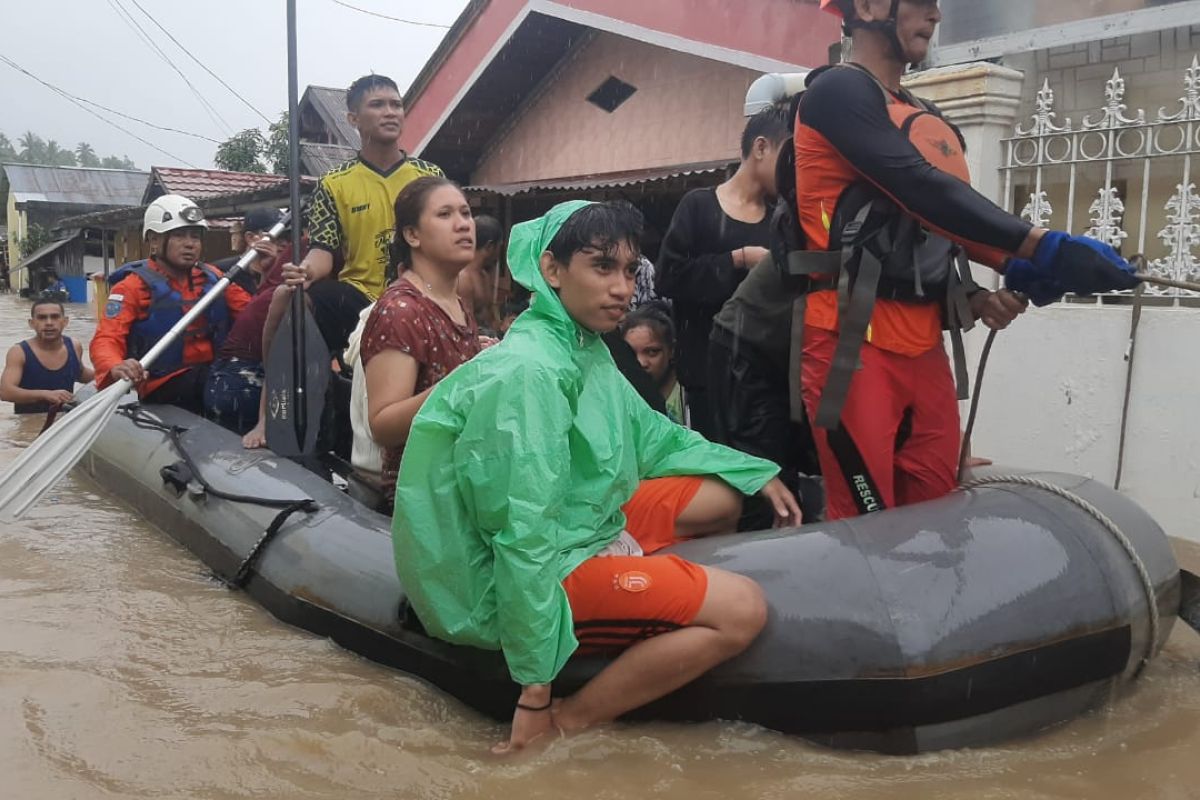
[887,219]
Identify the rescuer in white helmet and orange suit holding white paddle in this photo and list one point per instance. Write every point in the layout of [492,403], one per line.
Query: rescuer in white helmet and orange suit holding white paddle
[148,298]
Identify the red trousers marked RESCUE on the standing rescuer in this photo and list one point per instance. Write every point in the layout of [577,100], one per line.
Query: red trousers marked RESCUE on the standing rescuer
[899,438]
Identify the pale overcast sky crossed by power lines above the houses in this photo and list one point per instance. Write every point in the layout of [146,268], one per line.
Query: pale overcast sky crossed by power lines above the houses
[88,49]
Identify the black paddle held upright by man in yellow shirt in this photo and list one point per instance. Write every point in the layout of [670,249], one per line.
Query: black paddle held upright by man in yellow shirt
[298,365]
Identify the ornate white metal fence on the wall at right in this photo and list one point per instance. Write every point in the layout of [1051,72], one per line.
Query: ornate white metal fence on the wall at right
[1132,173]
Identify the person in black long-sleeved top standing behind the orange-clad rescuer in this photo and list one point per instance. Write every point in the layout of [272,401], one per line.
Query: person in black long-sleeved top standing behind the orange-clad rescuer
[716,237]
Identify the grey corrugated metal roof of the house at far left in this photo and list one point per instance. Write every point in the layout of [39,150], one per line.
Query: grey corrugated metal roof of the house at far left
[81,185]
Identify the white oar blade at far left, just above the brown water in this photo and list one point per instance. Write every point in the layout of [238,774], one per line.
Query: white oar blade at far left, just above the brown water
[52,455]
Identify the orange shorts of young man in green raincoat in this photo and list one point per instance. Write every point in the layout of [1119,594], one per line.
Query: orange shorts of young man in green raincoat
[620,600]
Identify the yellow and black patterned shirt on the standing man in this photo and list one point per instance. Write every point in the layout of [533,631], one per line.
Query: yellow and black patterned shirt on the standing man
[353,215]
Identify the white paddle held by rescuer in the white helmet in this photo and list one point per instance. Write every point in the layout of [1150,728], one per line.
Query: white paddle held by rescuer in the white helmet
[61,448]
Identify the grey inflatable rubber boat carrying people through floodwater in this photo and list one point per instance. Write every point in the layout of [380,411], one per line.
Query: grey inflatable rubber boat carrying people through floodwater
[987,615]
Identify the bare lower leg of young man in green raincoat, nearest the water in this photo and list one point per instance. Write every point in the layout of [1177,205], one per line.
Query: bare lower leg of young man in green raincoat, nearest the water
[733,615]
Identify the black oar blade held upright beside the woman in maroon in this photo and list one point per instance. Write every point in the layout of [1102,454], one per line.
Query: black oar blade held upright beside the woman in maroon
[291,394]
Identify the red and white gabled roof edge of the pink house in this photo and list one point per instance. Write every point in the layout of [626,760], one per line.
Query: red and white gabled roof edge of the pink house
[503,50]
